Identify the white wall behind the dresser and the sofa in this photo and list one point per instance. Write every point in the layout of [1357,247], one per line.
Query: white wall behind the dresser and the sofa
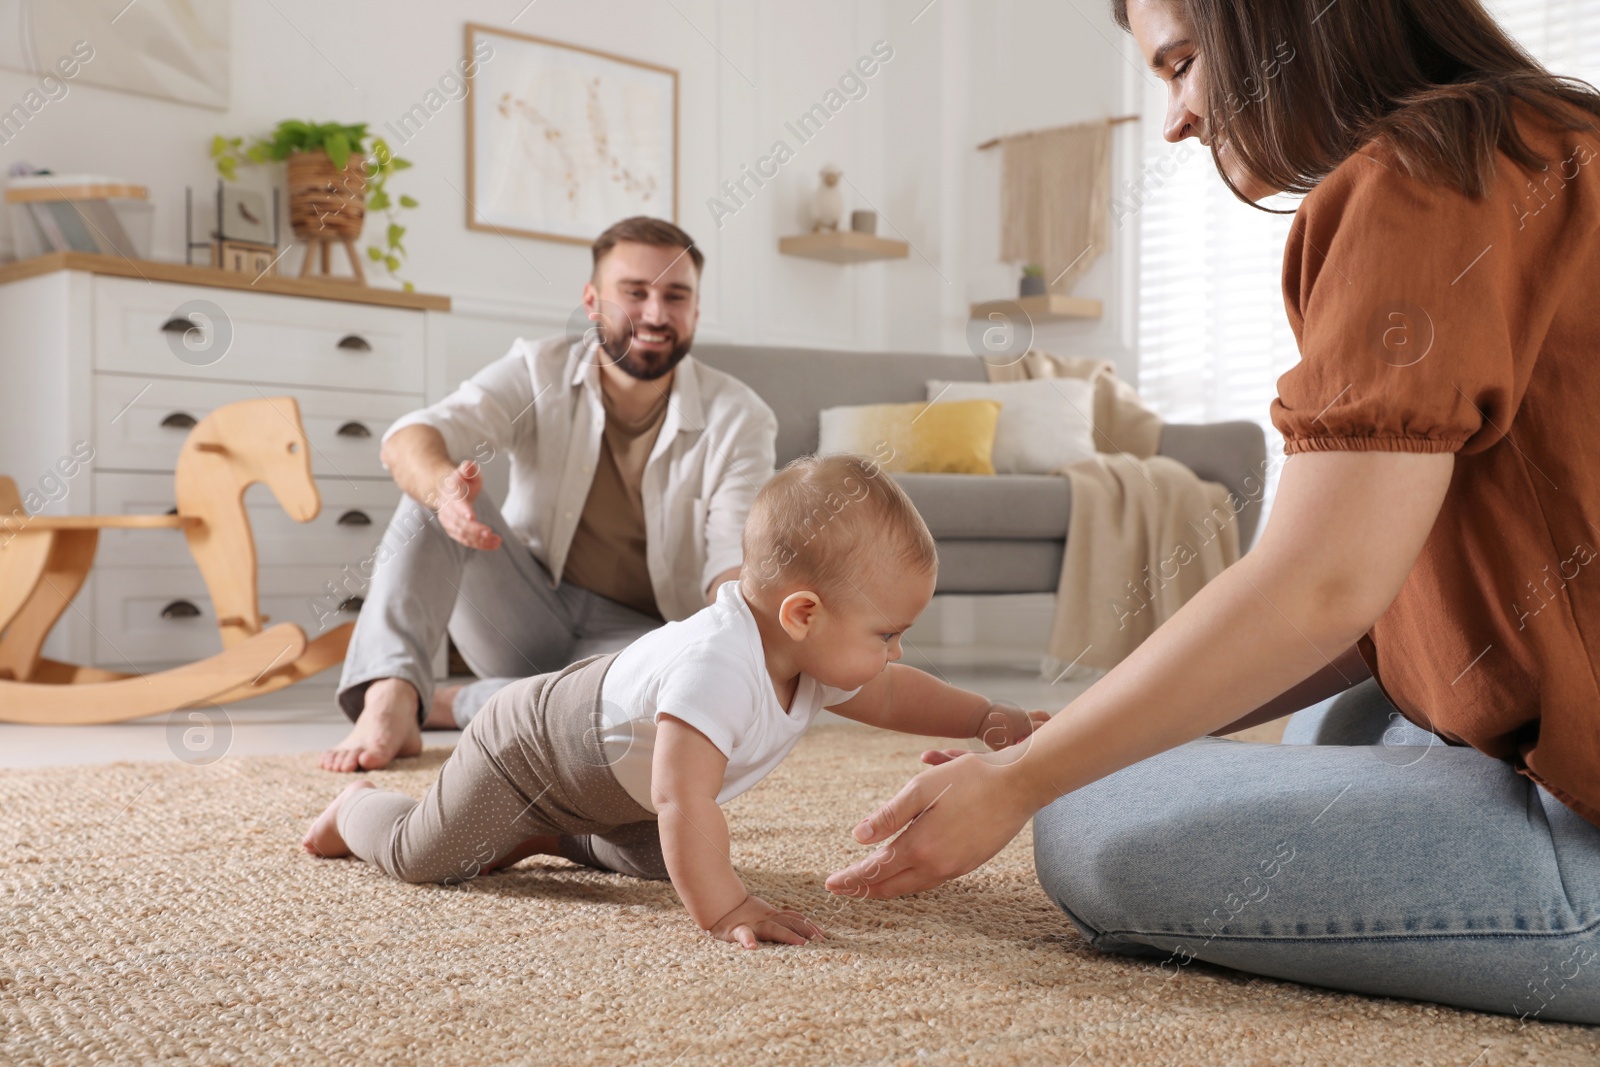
[962,71]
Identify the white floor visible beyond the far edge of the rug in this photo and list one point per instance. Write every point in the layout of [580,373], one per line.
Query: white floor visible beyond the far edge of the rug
[305,719]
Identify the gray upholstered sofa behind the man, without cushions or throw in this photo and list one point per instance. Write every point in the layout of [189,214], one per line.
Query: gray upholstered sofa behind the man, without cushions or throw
[998,535]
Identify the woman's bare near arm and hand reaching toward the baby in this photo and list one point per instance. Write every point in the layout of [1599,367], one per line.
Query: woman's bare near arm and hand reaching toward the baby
[1346,530]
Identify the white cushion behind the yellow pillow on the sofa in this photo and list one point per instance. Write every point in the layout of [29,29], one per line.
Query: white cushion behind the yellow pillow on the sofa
[1046,423]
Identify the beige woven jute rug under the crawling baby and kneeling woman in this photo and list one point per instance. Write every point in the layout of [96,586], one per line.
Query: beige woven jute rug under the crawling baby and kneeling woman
[158,913]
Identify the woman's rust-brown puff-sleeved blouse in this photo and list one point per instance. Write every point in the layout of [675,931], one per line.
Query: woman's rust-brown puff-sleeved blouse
[1434,322]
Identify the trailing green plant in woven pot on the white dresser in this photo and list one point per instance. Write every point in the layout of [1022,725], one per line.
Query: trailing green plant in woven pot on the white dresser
[334,180]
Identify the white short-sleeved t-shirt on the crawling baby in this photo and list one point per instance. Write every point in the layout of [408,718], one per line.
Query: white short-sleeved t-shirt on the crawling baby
[711,673]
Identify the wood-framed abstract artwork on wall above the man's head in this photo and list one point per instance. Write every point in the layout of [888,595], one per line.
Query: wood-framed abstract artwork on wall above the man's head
[564,142]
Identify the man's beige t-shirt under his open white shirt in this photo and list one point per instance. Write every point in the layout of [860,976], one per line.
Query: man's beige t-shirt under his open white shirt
[609,546]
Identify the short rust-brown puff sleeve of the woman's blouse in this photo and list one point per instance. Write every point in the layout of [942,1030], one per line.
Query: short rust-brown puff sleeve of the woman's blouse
[1406,302]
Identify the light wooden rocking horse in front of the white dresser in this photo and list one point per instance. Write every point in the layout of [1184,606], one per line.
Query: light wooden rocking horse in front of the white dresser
[44,561]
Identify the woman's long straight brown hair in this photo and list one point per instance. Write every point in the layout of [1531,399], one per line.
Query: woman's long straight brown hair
[1436,79]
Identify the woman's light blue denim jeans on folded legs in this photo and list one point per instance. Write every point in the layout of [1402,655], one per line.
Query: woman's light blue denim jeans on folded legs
[1361,855]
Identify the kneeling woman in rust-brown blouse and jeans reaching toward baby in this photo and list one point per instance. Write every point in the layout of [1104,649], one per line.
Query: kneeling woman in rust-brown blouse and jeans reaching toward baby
[1436,526]
